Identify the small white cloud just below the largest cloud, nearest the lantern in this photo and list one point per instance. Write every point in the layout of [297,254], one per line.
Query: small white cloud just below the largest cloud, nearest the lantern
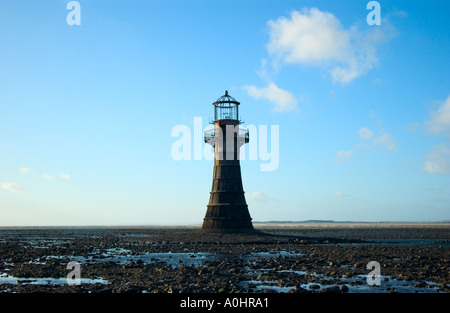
[283,100]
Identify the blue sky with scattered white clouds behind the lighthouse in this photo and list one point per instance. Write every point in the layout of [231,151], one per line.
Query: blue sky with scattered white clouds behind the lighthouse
[87,111]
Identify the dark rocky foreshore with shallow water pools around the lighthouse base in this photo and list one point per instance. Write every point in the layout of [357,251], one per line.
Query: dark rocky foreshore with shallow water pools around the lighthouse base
[188,261]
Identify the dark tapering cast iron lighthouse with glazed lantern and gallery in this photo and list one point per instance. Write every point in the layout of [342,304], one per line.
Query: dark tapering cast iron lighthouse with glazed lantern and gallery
[227,208]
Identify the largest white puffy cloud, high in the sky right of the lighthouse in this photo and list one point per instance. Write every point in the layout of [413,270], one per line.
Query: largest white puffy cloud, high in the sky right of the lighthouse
[317,38]
